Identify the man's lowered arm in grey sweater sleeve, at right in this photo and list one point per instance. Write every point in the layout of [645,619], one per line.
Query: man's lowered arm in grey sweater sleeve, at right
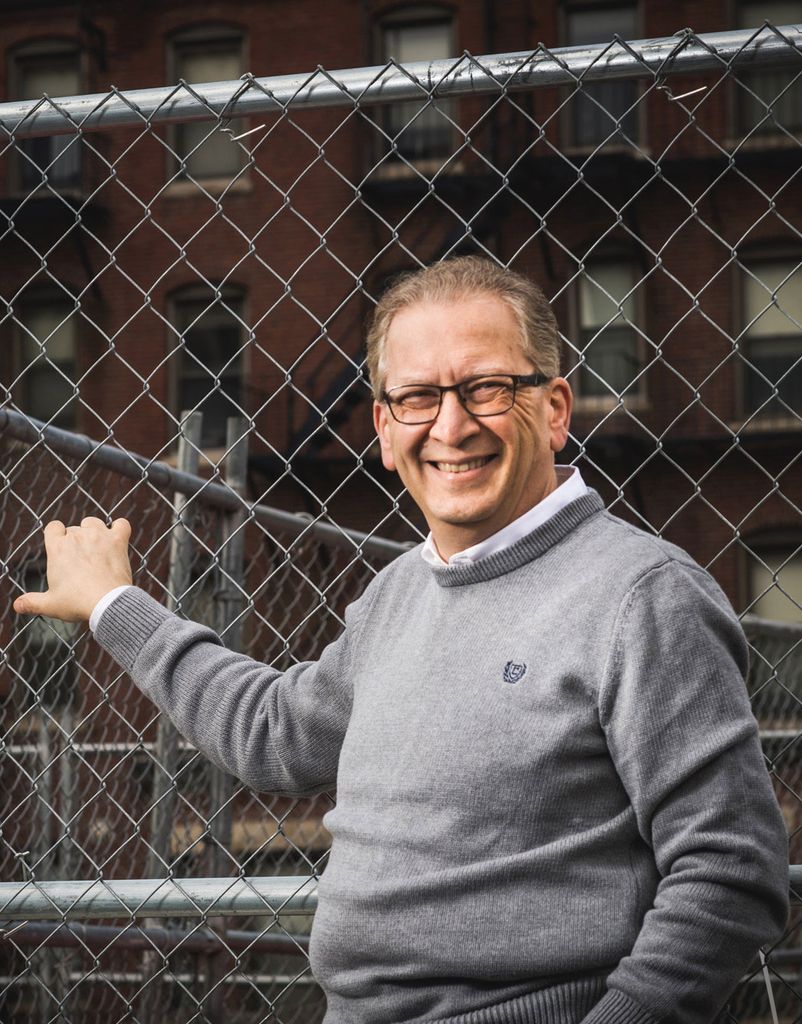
[676,711]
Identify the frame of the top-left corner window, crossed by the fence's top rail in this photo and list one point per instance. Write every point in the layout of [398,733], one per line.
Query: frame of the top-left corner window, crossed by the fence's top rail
[64,50]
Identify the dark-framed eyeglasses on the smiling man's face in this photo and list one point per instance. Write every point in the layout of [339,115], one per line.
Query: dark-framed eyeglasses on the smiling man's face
[491,396]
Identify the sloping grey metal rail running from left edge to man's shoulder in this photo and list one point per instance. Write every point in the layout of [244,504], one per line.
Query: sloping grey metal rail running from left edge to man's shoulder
[209,493]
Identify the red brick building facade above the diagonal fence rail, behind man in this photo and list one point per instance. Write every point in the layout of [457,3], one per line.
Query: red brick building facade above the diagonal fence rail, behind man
[153,262]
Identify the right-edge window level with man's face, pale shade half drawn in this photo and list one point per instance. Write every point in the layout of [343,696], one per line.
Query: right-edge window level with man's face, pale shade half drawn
[772,295]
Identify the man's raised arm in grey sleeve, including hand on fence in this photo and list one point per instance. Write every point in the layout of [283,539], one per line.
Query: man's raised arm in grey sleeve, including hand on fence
[277,732]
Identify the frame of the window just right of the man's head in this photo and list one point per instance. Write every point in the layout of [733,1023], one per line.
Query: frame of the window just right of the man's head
[637,396]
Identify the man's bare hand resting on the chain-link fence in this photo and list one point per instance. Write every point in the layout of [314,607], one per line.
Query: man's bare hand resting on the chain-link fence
[83,564]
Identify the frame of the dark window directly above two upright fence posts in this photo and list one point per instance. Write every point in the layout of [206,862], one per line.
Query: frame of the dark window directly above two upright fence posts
[200,293]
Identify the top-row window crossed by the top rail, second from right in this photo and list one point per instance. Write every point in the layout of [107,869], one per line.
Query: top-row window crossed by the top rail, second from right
[601,110]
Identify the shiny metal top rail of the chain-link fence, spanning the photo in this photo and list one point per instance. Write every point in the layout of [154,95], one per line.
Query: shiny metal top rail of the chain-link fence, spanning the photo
[685,54]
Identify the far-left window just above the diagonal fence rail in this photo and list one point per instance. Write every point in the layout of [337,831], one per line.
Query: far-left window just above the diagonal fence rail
[48,361]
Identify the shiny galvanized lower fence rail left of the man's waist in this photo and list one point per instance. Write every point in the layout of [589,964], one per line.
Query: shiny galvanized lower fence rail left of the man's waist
[158,899]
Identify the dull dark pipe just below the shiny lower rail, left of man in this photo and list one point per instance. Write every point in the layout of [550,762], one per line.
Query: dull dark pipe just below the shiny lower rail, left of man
[98,938]
